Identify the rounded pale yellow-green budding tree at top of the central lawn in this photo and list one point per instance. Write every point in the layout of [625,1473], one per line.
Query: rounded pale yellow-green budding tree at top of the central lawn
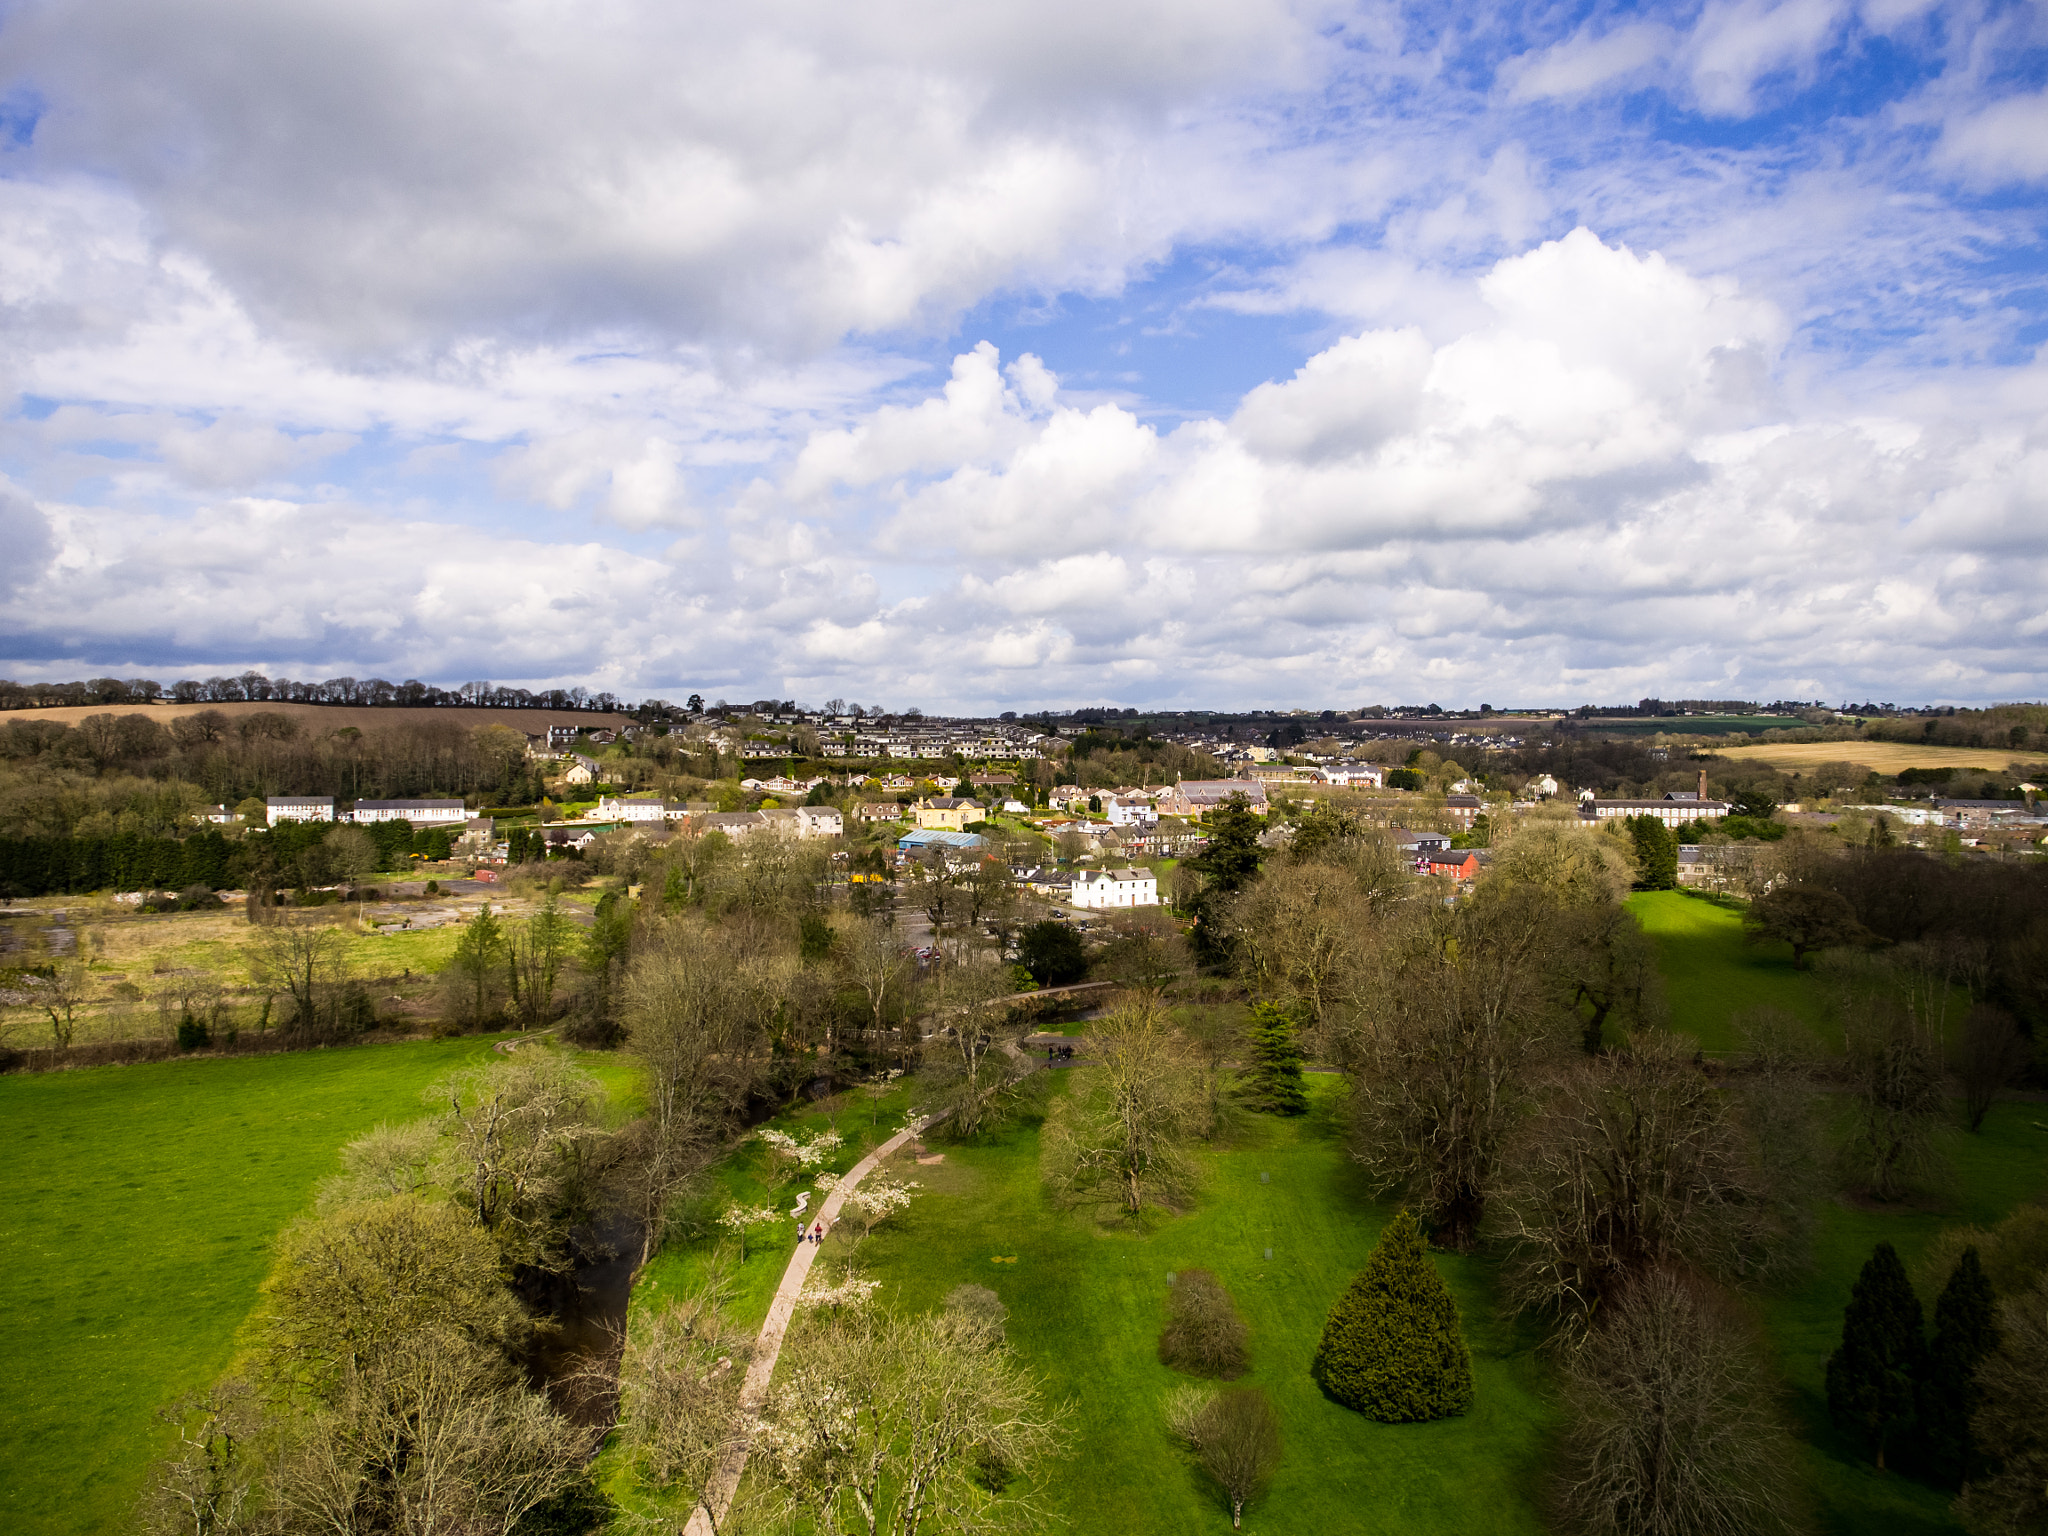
[1117,1138]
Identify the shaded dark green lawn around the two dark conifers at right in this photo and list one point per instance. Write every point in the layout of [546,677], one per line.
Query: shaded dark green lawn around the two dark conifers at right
[1994,1172]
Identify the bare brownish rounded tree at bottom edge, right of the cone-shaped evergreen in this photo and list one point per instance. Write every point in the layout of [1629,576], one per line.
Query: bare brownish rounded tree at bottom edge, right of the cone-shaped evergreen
[1670,1428]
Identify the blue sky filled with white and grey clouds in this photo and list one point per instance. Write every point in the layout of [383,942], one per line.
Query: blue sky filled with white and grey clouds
[1152,353]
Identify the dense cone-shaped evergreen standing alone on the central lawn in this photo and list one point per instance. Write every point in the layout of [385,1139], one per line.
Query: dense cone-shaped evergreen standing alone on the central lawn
[1392,1347]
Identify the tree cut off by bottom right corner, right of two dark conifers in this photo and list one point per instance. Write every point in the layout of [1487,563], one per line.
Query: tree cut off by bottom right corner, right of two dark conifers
[2012,1424]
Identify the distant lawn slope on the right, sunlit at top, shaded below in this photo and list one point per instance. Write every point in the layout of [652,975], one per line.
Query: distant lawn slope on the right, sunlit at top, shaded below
[1713,974]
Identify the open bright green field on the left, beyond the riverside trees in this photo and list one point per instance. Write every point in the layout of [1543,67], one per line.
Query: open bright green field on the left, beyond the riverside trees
[140,1207]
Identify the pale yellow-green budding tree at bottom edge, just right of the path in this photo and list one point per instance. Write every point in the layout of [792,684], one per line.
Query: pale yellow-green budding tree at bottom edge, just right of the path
[902,1424]
